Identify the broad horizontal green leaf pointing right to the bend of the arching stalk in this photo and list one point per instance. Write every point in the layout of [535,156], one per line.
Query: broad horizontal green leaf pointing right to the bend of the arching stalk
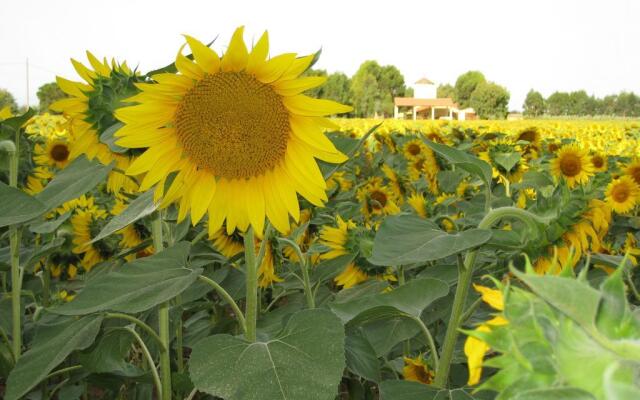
[407,239]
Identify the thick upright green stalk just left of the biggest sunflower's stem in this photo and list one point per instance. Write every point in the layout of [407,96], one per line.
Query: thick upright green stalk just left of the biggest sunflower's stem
[163,316]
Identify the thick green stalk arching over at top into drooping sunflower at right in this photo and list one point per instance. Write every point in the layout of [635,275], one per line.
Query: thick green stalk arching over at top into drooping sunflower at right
[465,273]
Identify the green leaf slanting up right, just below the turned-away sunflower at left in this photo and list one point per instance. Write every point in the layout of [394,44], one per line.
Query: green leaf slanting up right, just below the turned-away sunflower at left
[79,177]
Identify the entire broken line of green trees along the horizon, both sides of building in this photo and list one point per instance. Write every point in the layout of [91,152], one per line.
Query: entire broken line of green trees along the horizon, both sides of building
[372,88]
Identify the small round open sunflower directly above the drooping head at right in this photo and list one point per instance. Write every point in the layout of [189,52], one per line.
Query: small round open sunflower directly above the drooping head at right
[573,164]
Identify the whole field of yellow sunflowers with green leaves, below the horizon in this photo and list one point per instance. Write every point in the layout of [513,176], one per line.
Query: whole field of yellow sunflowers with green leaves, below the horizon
[205,230]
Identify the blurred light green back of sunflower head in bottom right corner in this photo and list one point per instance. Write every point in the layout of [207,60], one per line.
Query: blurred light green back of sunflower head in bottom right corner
[557,330]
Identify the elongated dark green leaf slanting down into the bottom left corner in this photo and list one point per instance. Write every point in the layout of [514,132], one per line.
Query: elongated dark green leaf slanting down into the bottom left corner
[45,355]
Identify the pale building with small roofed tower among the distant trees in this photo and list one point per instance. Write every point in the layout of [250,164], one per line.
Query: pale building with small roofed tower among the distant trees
[425,104]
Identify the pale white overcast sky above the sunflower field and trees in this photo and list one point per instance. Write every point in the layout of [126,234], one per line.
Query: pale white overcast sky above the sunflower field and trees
[546,45]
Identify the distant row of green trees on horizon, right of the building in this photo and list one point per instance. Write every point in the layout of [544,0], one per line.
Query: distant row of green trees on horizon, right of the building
[579,103]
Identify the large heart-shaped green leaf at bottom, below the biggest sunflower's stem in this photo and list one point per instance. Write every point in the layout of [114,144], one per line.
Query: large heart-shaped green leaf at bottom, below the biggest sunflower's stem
[304,362]
